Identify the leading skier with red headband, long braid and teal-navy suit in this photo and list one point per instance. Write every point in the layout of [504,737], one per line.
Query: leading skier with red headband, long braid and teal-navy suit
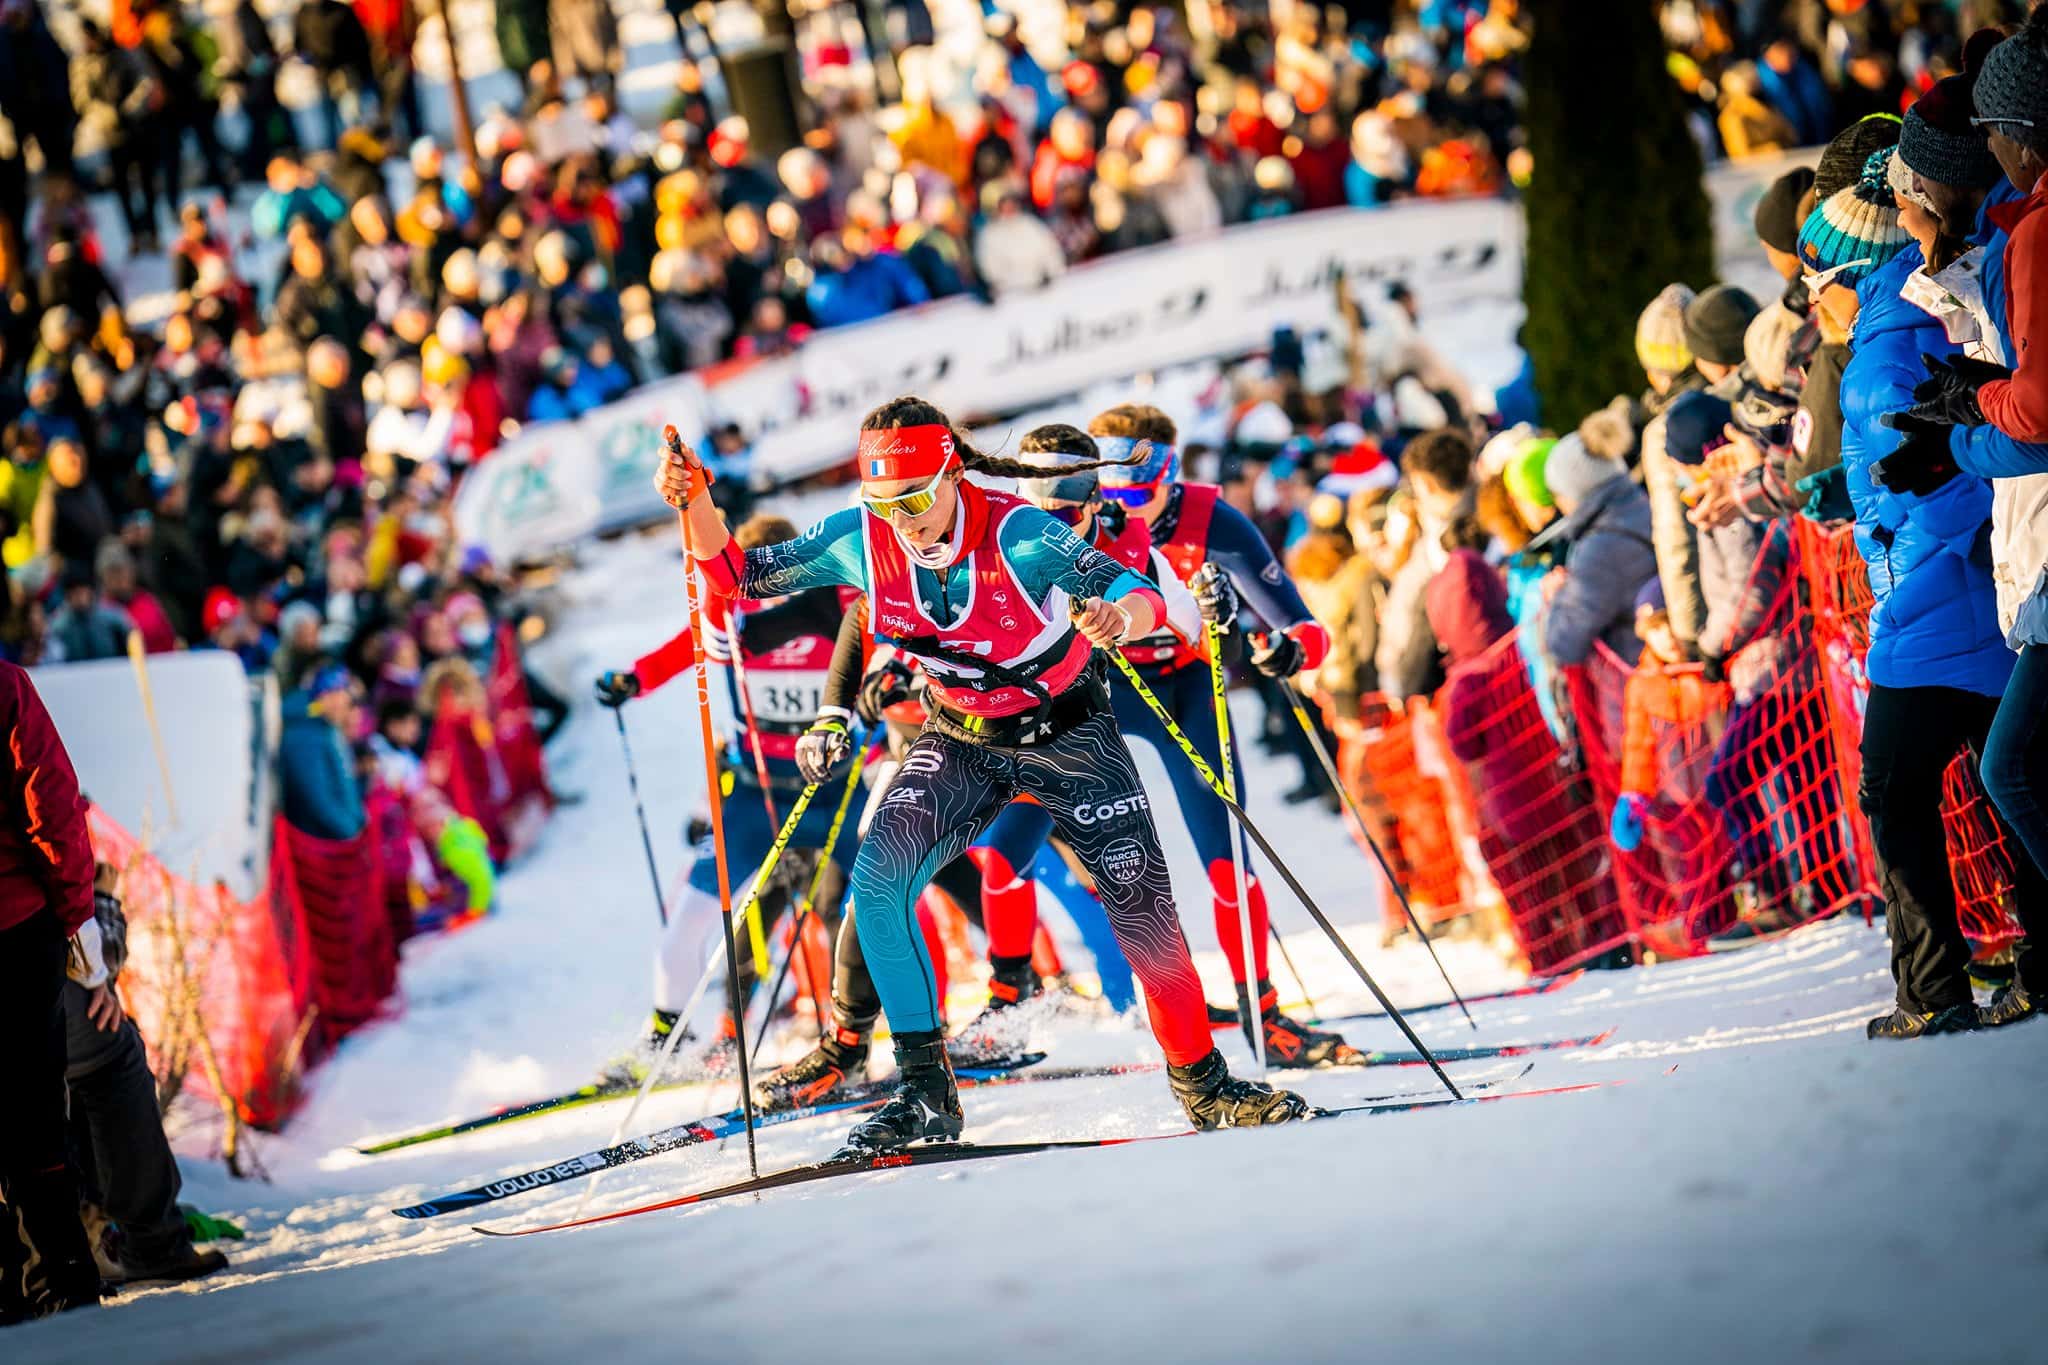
[1002,607]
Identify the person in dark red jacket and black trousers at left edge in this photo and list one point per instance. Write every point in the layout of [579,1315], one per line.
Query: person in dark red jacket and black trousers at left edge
[46,899]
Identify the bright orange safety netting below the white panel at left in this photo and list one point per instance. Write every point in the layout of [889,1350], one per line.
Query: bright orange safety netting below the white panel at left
[214,981]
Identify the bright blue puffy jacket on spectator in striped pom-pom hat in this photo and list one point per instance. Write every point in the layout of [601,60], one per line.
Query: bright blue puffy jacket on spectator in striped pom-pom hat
[1936,621]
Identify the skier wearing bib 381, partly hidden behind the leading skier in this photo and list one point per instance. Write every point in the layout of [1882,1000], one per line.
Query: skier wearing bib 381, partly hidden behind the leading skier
[783,652]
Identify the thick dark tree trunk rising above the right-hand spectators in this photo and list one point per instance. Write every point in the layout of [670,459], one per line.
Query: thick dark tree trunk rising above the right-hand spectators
[1615,206]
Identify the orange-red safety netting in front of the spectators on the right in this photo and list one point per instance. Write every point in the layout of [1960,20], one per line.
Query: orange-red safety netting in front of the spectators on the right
[1750,791]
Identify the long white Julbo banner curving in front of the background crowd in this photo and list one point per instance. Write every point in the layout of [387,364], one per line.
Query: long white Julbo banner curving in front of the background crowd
[1195,300]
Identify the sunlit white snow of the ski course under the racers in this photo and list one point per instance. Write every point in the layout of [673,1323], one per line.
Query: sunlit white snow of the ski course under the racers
[1754,1180]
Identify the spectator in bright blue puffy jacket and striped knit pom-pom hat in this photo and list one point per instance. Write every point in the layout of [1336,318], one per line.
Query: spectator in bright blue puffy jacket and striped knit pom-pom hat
[1936,656]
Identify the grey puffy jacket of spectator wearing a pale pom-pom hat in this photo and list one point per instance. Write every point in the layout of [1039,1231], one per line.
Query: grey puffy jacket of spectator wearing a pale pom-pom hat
[1609,562]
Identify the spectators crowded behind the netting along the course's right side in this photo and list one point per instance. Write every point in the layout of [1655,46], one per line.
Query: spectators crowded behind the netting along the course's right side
[1887,392]
